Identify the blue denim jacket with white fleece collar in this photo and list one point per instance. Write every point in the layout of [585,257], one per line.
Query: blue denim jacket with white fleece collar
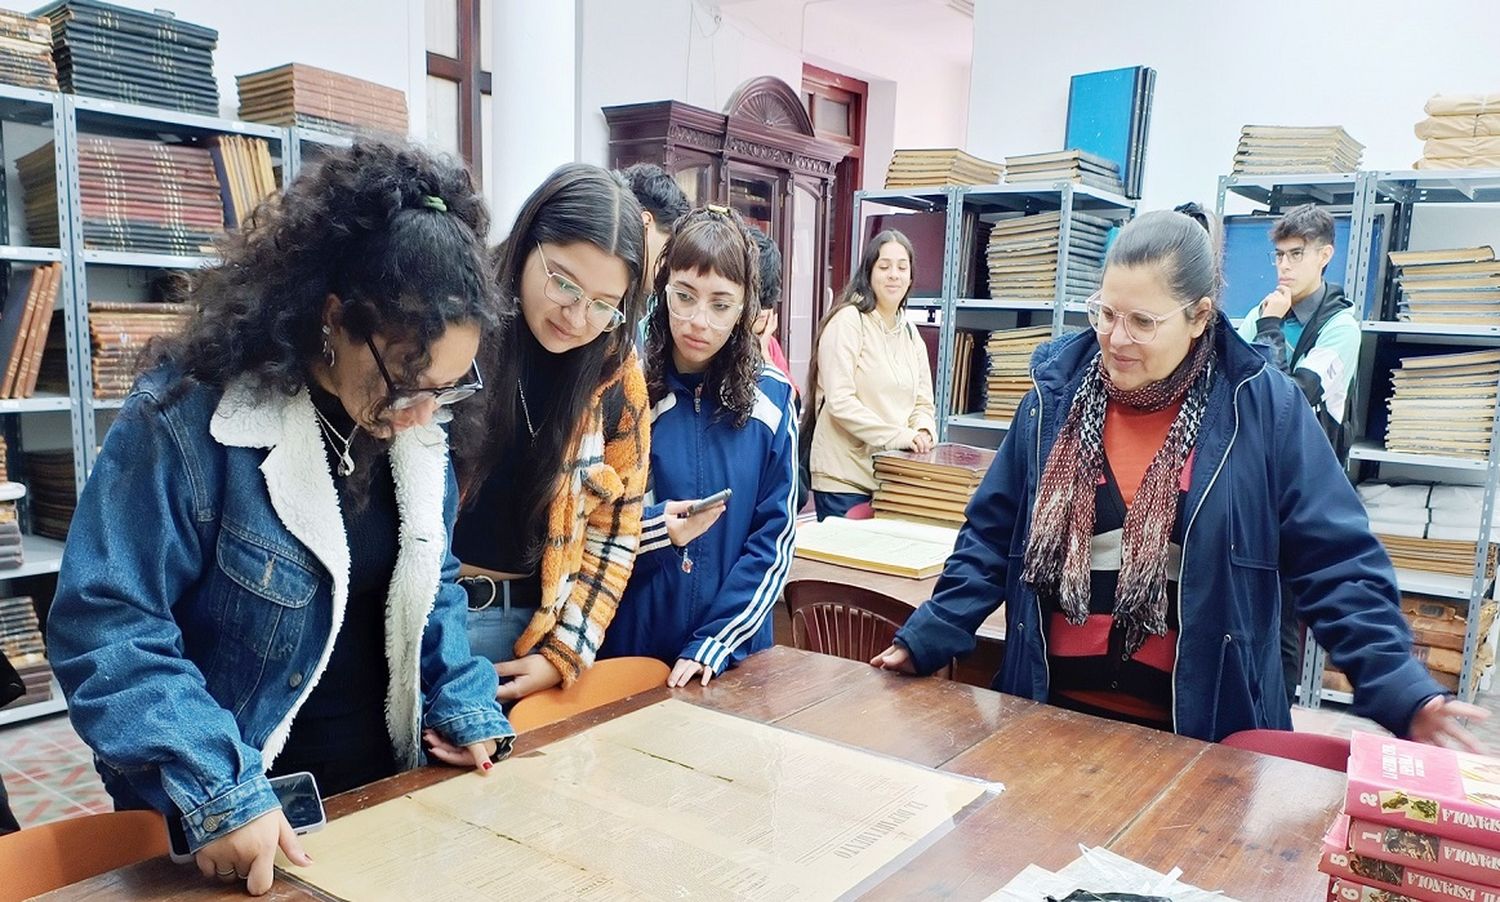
[205,580]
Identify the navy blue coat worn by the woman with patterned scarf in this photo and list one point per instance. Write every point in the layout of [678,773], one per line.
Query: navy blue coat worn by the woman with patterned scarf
[1268,502]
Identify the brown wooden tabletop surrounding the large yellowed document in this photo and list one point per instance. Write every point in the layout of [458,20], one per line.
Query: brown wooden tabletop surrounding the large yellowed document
[1238,822]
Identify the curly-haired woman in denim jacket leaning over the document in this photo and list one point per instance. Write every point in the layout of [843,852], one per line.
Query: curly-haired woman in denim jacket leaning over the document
[259,580]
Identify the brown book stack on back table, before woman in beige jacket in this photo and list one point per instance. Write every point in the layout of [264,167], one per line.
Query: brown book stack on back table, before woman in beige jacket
[929,489]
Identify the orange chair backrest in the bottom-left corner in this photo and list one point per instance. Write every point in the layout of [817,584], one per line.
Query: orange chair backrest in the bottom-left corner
[43,859]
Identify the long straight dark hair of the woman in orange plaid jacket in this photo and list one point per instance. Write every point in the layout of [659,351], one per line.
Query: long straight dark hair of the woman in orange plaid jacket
[577,203]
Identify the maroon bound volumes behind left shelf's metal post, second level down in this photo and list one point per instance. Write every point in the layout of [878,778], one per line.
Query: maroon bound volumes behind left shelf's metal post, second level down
[136,196]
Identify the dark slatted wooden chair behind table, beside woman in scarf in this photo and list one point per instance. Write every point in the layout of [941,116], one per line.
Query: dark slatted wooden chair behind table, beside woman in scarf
[845,621]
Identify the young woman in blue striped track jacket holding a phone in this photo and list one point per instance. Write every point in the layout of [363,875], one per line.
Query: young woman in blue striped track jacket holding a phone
[721,419]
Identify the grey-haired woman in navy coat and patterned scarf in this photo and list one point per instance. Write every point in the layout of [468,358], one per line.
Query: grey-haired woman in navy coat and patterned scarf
[1156,492]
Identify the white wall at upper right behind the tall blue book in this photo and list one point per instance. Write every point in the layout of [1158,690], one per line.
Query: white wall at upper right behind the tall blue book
[1367,65]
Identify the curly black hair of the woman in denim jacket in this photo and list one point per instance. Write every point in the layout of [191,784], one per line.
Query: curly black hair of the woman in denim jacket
[361,226]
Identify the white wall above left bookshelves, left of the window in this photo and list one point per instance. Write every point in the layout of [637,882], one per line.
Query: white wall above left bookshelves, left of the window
[374,40]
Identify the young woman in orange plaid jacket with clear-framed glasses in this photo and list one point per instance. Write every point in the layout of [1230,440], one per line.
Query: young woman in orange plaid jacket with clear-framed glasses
[553,511]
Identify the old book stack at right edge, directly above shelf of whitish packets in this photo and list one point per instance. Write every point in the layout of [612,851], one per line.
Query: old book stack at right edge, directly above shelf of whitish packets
[1444,404]
